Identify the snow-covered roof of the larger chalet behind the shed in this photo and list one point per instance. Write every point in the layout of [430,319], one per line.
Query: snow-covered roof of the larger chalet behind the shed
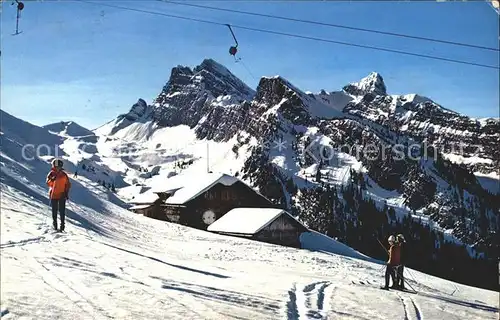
[185,187]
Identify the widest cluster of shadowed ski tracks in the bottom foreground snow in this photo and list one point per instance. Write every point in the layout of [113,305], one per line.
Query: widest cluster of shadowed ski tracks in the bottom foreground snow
[309,302]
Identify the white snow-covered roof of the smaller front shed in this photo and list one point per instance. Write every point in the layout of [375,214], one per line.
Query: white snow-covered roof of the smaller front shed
[246,220]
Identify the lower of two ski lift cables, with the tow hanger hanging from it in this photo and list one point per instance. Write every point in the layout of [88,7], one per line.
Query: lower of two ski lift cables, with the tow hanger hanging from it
[291,35]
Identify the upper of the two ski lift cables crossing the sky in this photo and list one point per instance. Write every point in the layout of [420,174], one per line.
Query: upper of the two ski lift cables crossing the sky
[401,35]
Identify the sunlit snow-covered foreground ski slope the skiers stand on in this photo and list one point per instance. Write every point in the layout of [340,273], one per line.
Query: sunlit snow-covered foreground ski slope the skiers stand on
[112,263]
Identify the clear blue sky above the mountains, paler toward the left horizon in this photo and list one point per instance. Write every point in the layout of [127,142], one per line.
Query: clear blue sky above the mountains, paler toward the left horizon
[86,63]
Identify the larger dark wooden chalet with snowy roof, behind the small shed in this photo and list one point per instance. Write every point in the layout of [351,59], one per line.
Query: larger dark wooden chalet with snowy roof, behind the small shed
[198,201]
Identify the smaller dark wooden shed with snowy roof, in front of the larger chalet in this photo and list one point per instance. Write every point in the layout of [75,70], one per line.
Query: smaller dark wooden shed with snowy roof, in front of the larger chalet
[269,225]
